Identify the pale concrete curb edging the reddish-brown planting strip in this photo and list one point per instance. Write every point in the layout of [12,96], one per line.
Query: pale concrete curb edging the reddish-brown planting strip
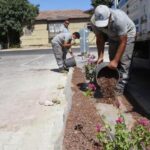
[58,145]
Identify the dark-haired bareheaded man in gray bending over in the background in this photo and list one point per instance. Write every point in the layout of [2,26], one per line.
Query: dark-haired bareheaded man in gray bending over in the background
[61,42]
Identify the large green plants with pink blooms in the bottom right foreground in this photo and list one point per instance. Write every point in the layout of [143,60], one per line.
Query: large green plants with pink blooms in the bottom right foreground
[123,139]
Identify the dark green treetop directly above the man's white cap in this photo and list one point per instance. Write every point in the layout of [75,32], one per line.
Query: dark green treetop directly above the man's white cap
[95,3]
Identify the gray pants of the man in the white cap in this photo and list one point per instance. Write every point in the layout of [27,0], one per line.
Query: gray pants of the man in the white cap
[125,62]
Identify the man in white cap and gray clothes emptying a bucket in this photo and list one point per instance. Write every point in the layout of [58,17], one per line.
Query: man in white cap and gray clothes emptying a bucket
[114,26]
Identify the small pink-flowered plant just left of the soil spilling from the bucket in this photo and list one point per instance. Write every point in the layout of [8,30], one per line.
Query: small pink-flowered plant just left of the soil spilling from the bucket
[91,88]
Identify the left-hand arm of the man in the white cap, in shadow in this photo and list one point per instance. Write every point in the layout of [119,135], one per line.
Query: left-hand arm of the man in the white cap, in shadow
[100,42]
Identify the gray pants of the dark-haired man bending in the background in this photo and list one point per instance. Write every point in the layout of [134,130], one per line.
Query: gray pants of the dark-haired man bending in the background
[60,54]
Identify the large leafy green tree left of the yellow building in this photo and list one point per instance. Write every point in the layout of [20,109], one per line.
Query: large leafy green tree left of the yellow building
[14,15]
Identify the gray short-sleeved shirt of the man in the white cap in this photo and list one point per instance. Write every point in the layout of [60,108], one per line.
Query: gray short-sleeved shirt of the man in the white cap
[119,24]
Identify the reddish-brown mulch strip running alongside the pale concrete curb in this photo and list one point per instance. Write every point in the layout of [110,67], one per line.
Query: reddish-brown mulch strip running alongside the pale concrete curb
[80,132]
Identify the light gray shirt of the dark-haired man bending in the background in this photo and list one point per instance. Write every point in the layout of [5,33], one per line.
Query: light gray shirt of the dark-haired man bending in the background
[62,38]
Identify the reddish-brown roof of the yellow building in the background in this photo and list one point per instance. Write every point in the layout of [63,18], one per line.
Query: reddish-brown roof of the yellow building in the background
[62,15]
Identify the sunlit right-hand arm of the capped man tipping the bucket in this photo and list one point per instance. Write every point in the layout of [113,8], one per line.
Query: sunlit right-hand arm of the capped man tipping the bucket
[114,63]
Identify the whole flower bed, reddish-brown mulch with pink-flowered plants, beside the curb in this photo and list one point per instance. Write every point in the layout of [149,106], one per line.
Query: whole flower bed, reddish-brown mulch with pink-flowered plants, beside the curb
[84,124]
